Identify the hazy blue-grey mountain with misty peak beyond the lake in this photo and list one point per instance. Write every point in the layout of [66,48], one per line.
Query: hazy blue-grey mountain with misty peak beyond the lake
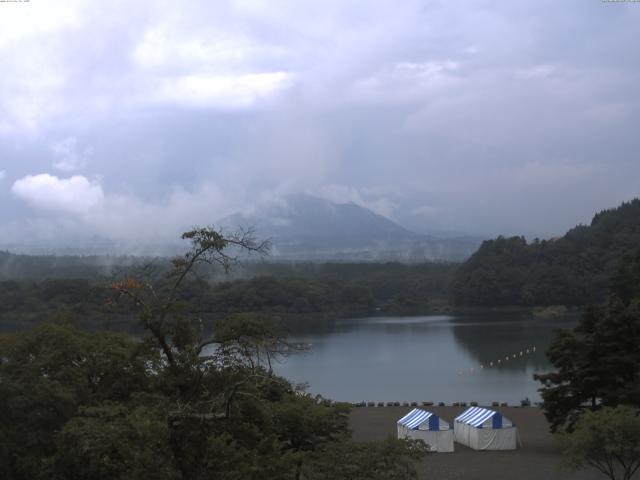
[306,227]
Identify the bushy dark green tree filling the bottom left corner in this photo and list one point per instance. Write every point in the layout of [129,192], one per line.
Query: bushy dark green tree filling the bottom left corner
[48,375]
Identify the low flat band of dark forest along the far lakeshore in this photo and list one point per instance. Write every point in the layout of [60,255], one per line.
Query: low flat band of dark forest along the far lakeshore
[298,294]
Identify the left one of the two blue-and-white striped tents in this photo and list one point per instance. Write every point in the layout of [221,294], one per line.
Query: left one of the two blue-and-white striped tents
[422,425]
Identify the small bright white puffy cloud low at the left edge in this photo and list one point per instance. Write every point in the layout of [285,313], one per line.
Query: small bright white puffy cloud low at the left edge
[75,195]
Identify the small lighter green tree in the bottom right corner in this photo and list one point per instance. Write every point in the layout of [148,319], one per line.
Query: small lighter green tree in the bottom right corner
[607,440]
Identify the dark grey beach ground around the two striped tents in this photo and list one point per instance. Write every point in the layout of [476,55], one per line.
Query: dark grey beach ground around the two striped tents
[538,459]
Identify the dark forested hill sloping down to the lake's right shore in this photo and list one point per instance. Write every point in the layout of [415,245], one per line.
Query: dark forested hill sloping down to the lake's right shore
[571,270]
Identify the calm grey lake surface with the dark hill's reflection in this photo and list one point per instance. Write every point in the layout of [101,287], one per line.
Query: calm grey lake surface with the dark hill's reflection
[435,358]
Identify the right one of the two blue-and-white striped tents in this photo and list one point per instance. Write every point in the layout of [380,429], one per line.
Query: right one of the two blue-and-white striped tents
[483,429]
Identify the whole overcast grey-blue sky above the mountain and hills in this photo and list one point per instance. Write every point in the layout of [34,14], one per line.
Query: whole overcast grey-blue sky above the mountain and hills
[135,120]
